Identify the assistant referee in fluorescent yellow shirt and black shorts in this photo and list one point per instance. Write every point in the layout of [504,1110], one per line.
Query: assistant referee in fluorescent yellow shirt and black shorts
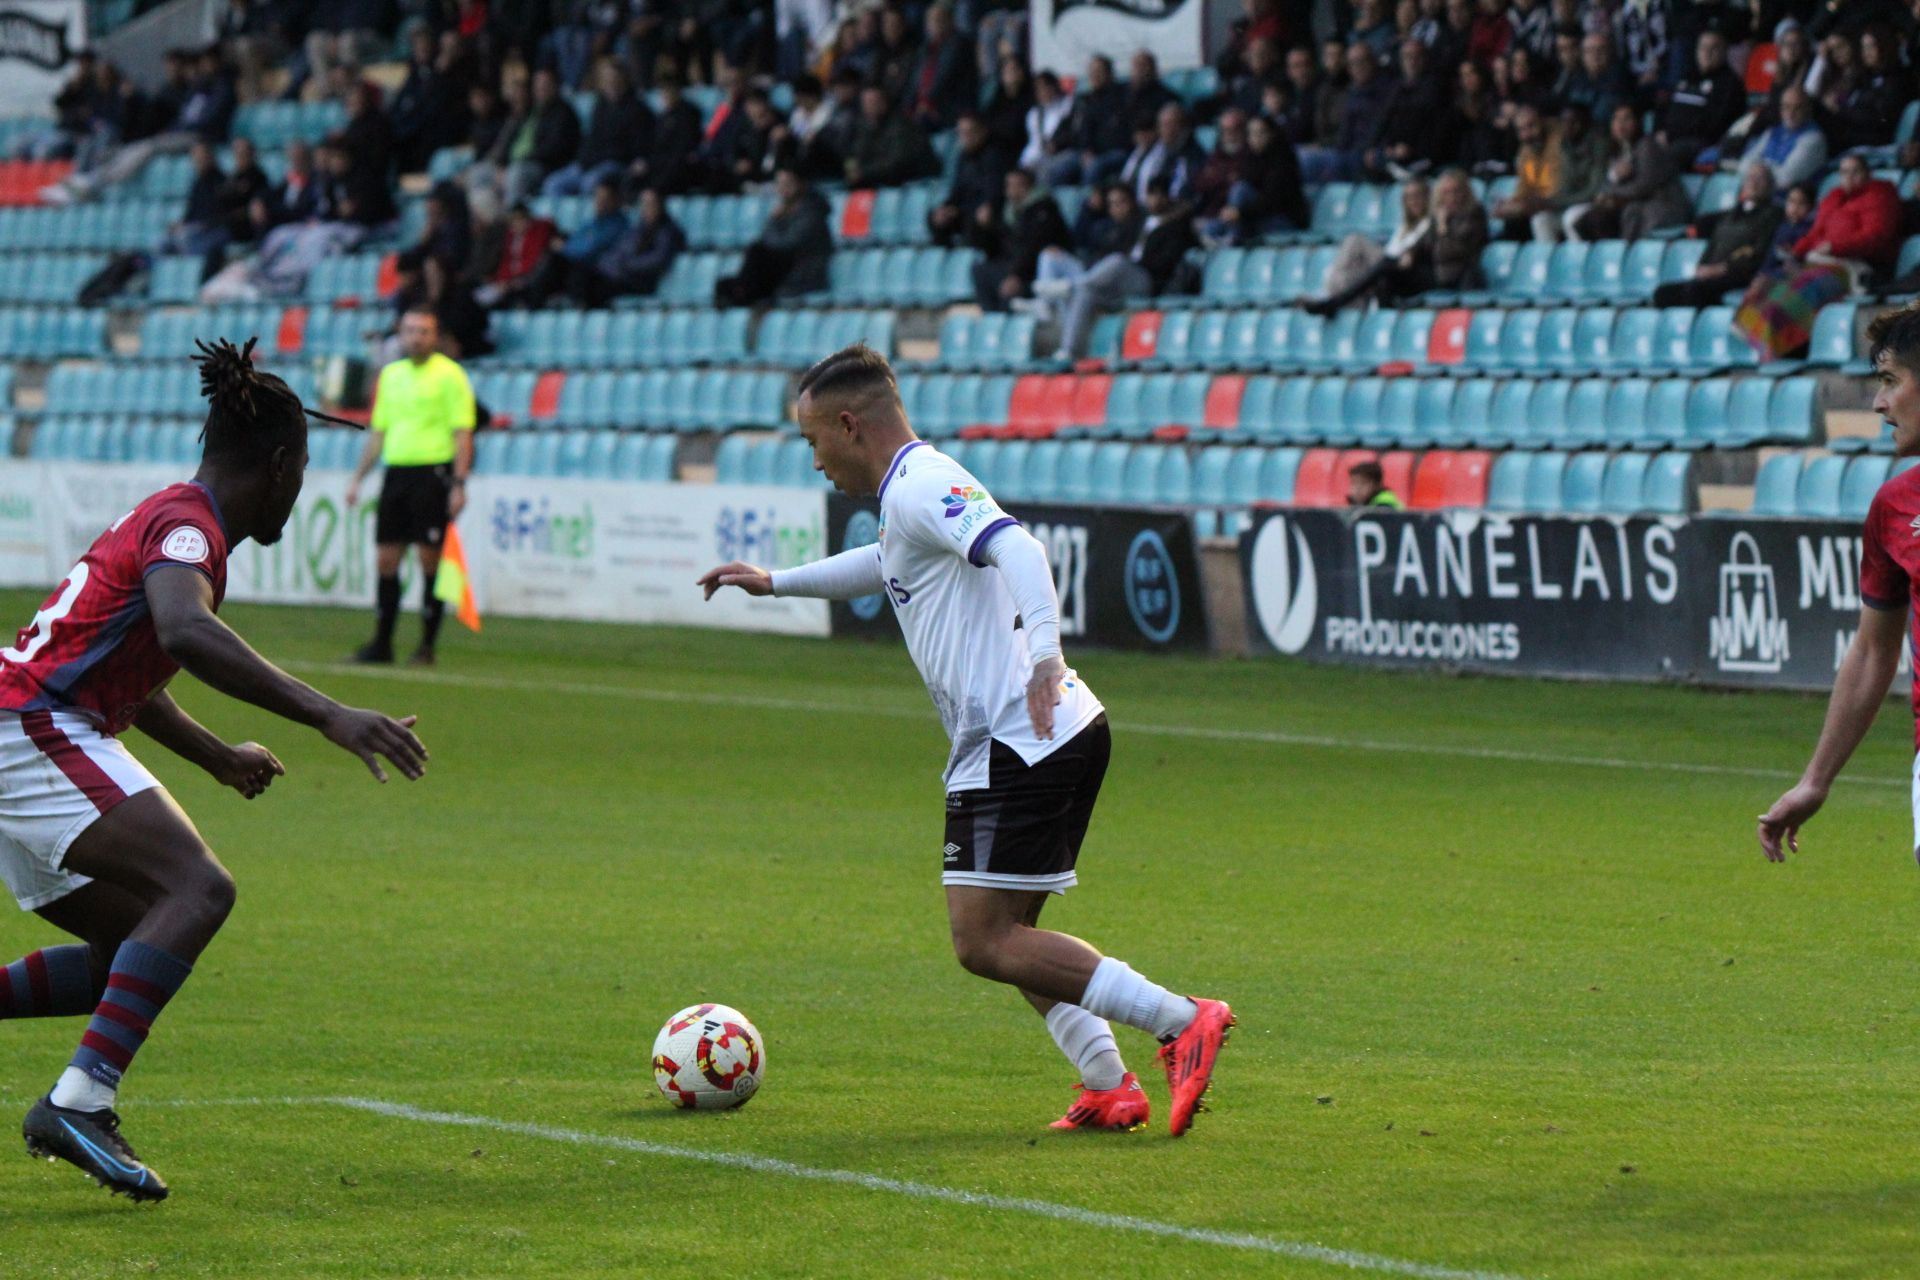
[423,431]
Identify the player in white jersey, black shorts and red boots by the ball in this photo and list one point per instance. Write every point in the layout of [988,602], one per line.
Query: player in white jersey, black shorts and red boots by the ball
[1030,740]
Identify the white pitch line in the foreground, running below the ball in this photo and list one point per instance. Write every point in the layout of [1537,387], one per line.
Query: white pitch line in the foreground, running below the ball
[1353,1260]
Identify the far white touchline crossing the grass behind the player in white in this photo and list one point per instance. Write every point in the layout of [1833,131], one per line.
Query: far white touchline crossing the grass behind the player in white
[1274,738]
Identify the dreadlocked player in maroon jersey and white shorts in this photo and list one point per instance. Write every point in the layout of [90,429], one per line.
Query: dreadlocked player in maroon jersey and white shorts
[87,836]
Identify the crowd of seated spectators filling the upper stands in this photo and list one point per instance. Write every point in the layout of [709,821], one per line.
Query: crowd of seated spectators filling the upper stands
[1598,110]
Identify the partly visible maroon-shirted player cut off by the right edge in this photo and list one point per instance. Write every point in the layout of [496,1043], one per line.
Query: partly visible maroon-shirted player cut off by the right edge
[1890,575]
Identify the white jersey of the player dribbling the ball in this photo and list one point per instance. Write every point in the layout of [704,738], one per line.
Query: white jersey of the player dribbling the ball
[959,619]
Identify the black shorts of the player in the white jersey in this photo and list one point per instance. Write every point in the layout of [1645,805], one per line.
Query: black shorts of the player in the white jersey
[1024,830]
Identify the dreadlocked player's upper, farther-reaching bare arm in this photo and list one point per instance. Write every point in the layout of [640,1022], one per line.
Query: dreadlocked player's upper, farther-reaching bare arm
[181,605]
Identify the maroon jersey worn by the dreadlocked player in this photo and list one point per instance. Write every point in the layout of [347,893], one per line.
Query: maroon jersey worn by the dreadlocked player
[93,650]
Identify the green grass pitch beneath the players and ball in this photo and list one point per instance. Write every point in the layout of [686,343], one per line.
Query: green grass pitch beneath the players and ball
[1518,993]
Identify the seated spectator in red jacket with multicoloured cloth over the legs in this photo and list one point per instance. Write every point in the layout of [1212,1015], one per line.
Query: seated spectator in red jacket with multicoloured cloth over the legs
[1856,237]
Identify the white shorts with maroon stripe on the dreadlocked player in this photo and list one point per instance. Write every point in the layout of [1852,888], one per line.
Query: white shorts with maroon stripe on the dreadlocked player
[59,774]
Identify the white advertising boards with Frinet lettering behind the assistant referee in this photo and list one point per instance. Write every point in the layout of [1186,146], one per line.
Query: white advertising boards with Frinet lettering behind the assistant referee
[535,548]
